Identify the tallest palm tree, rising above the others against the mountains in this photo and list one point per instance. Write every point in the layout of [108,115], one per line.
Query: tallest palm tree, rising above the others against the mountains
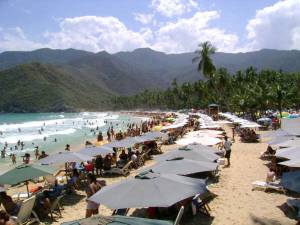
[205,63]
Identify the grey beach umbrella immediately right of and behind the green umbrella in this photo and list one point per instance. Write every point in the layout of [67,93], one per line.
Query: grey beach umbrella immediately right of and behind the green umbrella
[65,157]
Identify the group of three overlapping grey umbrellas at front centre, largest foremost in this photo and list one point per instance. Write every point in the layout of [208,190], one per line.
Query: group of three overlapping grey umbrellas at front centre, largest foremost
[161,185]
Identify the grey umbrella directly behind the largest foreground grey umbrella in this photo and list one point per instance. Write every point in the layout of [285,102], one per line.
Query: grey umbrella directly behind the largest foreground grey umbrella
[183,166]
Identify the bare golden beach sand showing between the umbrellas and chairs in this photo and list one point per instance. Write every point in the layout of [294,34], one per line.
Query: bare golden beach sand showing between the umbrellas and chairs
[235,204]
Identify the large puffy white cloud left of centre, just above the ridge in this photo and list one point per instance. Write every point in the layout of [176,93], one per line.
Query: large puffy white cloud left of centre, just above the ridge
[94,33]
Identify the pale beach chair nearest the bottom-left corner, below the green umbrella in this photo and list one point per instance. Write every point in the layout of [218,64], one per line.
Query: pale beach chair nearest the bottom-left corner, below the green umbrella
[26,214]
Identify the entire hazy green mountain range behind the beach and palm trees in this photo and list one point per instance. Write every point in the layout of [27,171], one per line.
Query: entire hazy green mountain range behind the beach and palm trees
[66,80]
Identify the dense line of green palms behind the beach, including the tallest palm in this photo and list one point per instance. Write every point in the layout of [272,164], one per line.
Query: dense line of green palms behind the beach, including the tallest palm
[247,91]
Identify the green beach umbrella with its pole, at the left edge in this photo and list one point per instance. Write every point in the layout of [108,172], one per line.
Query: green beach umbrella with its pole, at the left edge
[24,173]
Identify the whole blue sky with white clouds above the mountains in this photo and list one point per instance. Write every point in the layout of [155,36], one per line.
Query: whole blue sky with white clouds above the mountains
[171,26]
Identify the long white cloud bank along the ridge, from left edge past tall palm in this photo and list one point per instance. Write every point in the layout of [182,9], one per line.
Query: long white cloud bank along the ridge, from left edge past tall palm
[95,34]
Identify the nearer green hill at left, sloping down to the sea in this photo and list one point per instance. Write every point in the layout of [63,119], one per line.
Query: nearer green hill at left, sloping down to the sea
[41,88]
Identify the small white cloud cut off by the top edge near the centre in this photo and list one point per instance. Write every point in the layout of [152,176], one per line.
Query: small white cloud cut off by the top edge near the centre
[171,8]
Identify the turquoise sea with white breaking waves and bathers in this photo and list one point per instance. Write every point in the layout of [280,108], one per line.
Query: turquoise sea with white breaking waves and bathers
[52,131]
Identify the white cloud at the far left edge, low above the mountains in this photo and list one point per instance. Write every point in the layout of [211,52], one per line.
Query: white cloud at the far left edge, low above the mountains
[14,39]
